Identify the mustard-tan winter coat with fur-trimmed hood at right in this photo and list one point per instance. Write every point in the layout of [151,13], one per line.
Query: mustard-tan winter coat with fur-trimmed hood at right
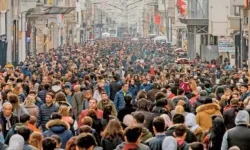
[205,113]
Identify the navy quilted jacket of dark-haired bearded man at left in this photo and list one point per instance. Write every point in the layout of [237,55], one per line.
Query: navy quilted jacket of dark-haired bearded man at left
[44,115]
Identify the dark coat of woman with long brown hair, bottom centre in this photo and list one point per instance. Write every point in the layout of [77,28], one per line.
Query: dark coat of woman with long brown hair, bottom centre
[111,143]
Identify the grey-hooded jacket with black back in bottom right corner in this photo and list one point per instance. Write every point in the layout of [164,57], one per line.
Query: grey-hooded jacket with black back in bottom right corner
[239,135]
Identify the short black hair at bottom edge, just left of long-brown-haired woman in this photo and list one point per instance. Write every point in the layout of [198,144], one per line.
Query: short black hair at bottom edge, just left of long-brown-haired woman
[85,140]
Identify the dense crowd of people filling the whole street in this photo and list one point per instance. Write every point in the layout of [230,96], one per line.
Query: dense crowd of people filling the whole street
[123,95]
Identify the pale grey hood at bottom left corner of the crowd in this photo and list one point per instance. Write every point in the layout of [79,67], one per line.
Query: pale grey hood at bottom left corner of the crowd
[16,142]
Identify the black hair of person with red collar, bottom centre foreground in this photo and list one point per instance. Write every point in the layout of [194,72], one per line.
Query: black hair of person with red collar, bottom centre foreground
[133,133]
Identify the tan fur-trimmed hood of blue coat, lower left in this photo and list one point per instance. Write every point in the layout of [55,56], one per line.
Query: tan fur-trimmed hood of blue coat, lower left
[57,126]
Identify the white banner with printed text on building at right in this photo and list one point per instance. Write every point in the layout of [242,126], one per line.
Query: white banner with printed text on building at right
[226,44]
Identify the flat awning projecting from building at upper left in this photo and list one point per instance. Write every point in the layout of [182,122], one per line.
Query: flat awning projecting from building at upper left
[48,10]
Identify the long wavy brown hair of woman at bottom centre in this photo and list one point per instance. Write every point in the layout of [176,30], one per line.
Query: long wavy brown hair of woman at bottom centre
[113,129]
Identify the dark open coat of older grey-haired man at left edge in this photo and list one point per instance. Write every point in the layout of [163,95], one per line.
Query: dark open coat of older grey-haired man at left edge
[3,122]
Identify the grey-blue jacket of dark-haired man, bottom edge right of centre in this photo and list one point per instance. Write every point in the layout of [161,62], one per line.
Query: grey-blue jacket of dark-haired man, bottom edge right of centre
[155,143]
